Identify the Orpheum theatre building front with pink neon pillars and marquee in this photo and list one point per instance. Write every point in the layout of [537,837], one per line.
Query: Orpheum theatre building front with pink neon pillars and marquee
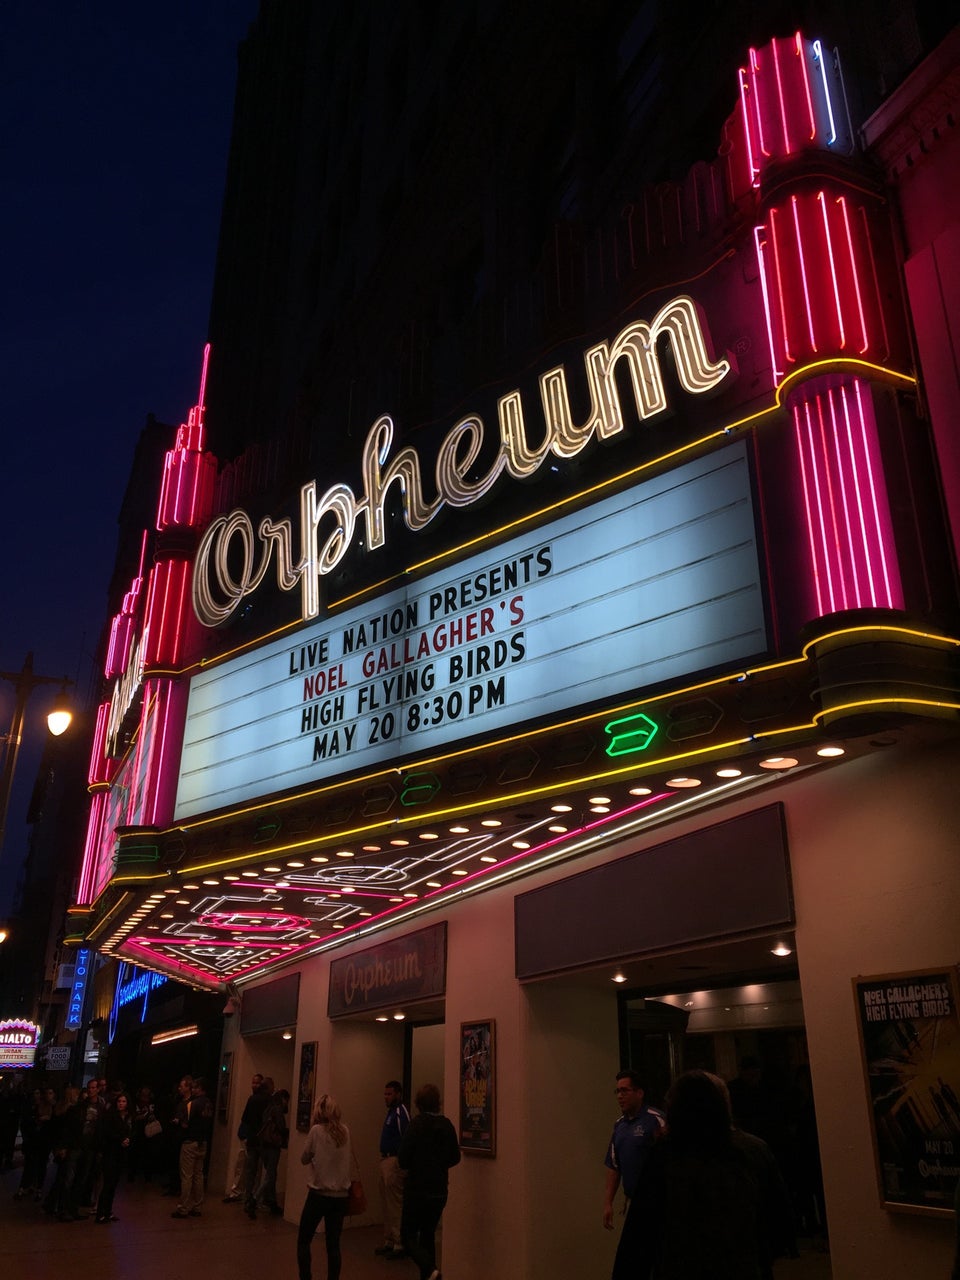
[551,618]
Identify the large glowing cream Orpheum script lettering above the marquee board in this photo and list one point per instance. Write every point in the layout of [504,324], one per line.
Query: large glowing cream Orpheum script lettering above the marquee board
[234,559]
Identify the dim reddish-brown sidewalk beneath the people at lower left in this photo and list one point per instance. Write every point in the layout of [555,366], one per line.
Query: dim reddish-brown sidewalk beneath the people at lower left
[148,1245]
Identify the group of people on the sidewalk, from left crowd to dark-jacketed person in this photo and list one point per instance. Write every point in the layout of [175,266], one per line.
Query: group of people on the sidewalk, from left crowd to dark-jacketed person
[97,1135]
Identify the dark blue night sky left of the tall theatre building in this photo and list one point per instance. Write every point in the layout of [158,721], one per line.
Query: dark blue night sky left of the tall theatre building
[116,131]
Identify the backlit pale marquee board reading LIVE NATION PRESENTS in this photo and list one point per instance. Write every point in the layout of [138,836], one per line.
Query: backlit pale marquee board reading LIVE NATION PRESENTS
[638,589]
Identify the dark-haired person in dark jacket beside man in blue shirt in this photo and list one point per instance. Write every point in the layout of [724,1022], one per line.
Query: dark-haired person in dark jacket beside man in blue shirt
[428,1150]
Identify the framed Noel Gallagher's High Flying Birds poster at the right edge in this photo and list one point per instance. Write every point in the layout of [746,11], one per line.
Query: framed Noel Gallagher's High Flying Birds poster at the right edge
[911,1041]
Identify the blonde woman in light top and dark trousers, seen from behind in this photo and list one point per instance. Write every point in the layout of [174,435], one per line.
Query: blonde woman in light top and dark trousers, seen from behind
[330,1154]
